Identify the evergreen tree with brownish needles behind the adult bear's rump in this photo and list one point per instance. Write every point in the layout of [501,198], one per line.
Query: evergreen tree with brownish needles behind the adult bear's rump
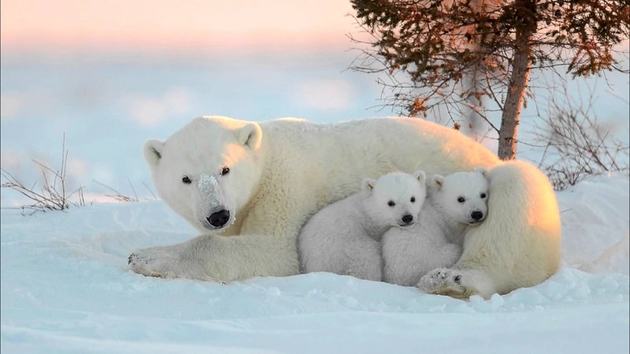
[437,43]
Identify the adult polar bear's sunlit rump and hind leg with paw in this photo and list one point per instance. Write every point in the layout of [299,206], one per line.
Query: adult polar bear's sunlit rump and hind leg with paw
[518,245]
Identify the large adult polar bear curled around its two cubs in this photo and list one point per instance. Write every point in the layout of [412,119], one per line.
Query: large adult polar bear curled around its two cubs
[249,188]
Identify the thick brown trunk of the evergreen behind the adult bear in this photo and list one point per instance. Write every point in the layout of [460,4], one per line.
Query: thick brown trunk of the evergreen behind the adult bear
[519,79]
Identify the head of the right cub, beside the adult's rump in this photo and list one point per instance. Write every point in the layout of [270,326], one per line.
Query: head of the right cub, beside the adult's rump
[462,196]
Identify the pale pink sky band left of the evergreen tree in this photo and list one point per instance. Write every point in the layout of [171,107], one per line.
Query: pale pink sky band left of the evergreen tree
[180,24]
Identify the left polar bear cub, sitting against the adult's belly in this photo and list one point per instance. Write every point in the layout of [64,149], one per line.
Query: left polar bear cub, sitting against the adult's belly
[344,237]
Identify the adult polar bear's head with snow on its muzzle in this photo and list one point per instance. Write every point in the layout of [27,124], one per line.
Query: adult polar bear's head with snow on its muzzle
[208,170]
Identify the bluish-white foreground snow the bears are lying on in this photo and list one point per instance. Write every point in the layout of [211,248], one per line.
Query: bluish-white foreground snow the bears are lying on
[66,289]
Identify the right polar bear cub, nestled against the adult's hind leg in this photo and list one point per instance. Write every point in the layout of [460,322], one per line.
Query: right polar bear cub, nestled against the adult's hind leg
[453,204]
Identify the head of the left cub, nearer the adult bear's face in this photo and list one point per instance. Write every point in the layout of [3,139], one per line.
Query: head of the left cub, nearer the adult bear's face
[395,199]
